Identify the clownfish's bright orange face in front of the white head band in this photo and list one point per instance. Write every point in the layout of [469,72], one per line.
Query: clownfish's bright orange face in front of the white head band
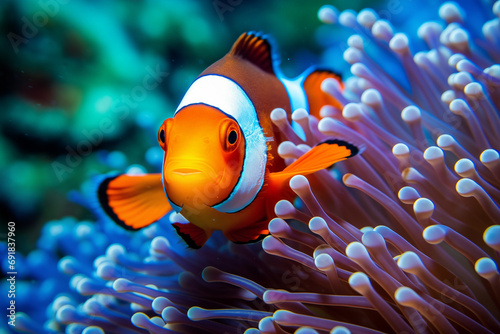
[204,153]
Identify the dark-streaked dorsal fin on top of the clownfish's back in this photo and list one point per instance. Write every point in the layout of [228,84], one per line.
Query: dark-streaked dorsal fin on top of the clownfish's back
[257,49]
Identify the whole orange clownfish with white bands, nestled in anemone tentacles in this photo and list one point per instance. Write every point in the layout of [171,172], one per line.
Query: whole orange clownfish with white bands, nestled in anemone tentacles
[221,170]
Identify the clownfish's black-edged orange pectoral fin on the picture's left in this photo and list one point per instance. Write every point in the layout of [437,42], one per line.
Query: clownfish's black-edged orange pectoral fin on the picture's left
[134,201]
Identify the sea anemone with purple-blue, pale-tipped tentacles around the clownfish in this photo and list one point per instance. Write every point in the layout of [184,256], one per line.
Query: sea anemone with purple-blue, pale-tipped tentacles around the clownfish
[402,238]
